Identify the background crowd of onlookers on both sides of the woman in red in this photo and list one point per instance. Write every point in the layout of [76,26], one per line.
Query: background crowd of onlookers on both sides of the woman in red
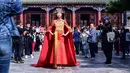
[86,41]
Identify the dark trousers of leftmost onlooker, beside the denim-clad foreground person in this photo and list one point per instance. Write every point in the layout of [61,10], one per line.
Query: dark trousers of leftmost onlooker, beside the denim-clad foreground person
[18,49]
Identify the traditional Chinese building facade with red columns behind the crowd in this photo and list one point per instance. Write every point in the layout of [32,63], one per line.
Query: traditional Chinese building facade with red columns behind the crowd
[77,12]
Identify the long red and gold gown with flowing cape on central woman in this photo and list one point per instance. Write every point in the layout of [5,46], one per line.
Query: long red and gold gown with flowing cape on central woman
[57,48]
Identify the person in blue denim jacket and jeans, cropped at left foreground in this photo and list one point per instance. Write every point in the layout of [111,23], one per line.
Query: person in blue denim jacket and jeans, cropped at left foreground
[8,9]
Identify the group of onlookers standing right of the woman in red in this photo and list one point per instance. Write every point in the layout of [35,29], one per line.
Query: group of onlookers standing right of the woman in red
[104,37]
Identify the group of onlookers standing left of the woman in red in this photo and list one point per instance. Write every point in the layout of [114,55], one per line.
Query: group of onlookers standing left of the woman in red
[29,41]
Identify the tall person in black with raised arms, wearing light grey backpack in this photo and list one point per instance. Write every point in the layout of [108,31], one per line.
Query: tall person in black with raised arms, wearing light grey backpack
[107,47]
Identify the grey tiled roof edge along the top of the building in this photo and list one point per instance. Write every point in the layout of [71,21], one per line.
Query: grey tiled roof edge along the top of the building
[64,1]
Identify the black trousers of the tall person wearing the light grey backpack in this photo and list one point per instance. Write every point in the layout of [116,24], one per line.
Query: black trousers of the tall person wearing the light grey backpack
[107,49]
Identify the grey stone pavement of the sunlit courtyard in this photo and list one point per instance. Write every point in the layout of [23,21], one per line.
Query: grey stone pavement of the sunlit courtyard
[87,66]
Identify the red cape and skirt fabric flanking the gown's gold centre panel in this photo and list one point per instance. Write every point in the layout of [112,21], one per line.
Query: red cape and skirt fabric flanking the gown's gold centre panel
[65,53]
